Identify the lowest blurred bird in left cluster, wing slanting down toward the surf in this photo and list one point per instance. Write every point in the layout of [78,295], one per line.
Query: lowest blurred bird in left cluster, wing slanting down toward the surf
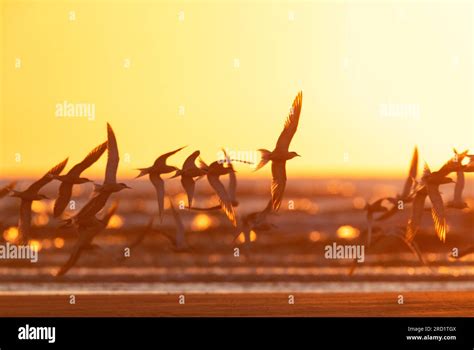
[86,234]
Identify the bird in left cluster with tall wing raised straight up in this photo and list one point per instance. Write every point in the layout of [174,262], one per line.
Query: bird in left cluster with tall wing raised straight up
[101,192]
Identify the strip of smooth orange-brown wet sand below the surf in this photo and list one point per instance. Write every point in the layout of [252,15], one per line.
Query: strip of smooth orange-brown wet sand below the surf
[416,304]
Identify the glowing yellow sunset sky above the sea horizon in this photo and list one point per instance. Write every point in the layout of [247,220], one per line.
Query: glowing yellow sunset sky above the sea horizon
[377,78]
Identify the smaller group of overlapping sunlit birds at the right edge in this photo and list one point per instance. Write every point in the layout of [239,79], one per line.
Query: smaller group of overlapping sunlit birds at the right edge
[416,192]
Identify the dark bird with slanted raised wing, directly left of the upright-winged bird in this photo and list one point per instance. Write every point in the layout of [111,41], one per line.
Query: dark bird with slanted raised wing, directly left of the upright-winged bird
[73,177]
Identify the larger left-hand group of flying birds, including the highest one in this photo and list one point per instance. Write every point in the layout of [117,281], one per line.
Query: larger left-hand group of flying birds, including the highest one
[87,223]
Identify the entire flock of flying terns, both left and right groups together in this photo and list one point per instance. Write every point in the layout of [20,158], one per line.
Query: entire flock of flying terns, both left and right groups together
[87,223]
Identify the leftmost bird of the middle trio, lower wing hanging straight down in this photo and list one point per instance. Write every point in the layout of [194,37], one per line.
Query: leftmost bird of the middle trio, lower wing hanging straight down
[154,172]
